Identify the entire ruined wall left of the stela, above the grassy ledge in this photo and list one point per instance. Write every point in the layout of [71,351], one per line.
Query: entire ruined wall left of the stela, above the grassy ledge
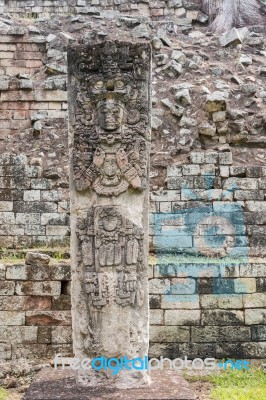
[34,198]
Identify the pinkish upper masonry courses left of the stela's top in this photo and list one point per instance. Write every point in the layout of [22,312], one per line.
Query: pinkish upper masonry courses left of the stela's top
[24,99]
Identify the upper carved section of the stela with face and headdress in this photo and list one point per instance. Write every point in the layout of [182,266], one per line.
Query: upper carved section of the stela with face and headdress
[111,127]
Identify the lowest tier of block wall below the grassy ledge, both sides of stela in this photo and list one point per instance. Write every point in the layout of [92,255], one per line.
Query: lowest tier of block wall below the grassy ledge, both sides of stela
[198,309]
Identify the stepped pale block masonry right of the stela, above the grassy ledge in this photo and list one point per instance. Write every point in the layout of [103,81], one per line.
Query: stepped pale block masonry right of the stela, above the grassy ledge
[211,208]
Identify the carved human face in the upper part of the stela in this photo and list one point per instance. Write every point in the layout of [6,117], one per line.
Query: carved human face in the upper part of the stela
[110,115]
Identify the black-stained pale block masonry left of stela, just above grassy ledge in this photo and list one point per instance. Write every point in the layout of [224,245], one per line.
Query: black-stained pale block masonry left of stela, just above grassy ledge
[31,211]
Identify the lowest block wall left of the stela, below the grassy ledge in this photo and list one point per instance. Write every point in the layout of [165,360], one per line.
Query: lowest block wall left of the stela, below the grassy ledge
[35,316]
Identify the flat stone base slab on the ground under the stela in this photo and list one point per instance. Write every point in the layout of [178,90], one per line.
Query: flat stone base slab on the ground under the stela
[60,385]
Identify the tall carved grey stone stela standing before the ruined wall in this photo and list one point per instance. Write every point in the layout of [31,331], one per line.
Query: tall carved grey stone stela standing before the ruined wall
[109,139]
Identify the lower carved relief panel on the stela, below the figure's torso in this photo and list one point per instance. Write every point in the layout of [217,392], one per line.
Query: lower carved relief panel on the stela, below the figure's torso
[111,256]
